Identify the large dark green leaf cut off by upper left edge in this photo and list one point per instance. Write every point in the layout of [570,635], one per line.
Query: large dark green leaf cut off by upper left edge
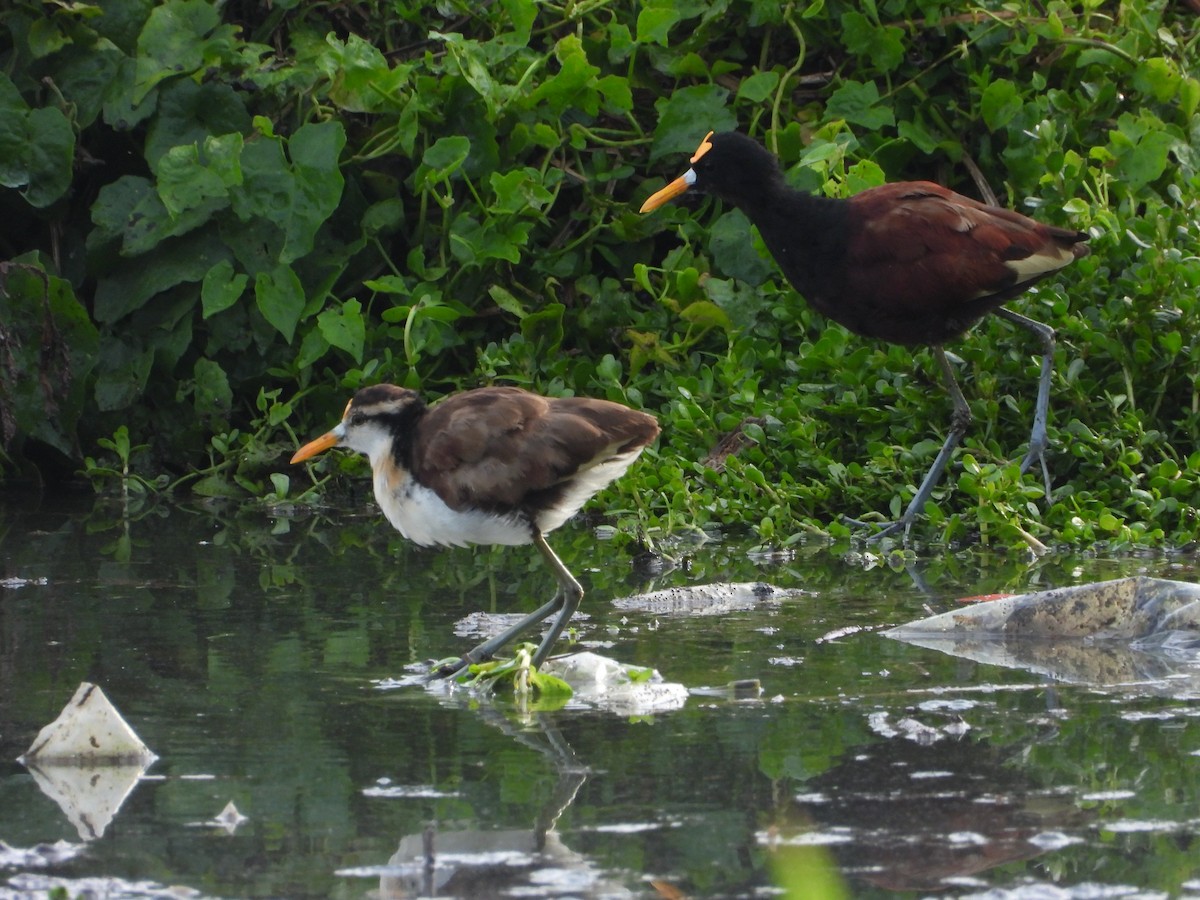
[37,148]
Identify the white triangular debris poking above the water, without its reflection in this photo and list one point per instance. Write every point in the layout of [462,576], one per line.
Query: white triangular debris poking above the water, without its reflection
[89,731]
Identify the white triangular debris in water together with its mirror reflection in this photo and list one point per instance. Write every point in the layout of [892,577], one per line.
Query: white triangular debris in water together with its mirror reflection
[88,761]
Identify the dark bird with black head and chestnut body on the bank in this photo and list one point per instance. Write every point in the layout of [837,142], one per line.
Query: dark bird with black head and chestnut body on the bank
[911,263]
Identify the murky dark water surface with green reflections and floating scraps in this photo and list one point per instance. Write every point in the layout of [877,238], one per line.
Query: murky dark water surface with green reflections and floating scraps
[263,658]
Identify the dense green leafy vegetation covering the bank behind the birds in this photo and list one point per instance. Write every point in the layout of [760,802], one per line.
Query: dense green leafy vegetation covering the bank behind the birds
[221,220]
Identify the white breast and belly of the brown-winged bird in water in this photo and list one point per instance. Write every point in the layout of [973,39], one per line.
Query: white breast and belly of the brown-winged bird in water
[421,515]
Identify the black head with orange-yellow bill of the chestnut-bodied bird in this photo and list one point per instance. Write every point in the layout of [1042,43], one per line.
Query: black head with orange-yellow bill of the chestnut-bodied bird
[731,166]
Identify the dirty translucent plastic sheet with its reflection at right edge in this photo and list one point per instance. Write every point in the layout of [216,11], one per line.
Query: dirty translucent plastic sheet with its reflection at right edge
[1105,633]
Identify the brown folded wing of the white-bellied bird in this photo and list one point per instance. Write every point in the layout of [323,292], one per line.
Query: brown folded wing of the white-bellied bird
[495,448]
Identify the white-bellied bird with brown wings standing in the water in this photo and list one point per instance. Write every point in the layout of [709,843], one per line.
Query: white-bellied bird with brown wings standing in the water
[490,466]
